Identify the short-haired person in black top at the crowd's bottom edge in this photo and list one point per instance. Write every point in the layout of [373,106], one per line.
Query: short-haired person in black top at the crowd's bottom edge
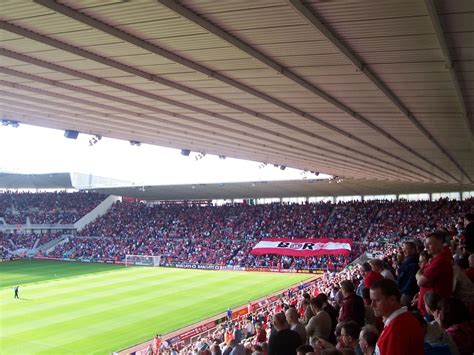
[283,341]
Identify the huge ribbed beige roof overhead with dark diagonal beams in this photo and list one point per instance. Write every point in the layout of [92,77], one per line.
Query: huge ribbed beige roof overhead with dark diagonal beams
[380,90]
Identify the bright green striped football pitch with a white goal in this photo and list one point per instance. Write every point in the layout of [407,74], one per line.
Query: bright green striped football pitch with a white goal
[79,308]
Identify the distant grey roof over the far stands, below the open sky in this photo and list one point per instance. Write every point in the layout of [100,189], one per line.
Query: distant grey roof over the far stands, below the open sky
[258,189]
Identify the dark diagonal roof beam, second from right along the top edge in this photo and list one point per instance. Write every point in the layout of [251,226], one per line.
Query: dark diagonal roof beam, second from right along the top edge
[364,68]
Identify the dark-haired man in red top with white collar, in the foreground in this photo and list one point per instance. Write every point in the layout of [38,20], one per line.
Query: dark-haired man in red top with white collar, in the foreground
[402,333]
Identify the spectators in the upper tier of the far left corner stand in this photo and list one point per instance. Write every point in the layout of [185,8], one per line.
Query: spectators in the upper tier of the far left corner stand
[47,207]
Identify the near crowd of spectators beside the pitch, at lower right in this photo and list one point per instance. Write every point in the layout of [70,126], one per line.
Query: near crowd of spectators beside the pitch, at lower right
[417,297]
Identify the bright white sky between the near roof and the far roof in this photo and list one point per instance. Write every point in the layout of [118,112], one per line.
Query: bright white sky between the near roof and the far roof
[35,150]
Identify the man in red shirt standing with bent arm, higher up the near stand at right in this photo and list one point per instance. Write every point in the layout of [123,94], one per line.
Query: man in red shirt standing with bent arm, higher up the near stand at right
[437,276]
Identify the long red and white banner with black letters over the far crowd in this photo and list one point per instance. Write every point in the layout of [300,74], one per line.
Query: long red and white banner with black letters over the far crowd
[302,247]
